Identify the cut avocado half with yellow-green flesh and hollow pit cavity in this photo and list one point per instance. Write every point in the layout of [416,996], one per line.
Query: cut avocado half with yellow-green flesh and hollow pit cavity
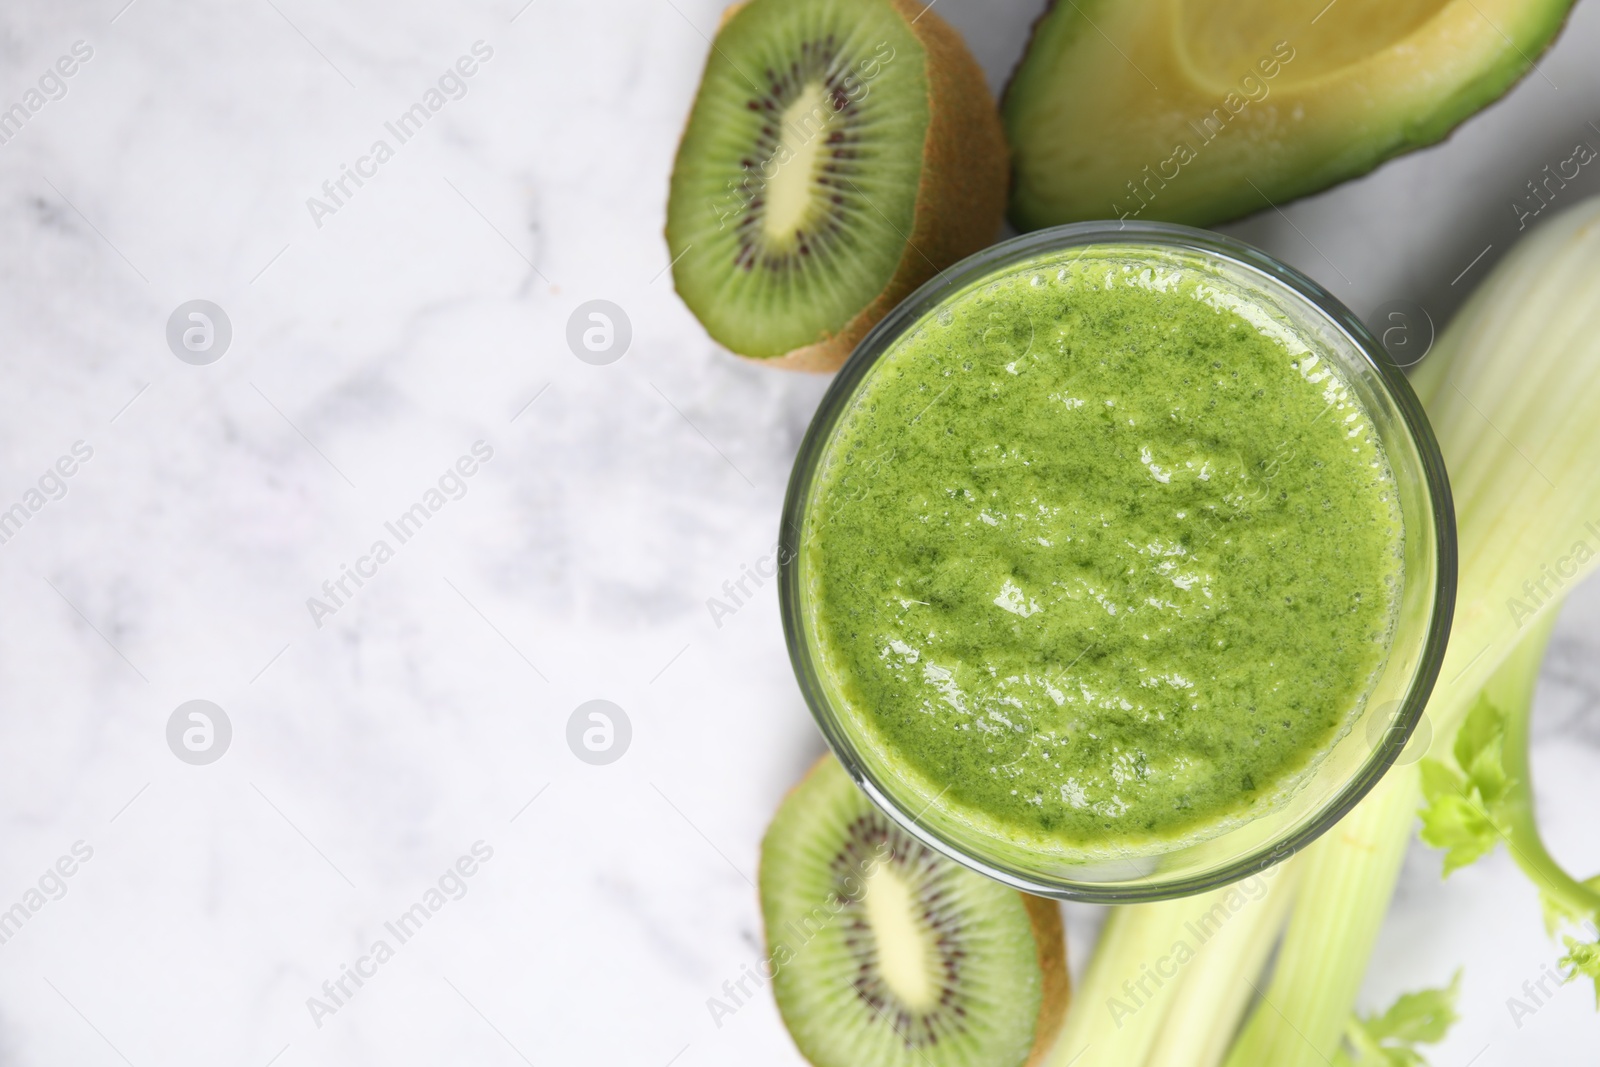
[1204,111]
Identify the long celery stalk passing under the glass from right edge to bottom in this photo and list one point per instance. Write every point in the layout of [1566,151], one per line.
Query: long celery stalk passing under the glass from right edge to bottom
[1511,393]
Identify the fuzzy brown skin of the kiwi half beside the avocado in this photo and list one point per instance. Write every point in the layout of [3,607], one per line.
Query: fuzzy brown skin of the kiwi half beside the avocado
[961,196]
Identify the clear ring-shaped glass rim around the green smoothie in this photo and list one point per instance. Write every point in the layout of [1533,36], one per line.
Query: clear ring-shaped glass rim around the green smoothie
[991,262]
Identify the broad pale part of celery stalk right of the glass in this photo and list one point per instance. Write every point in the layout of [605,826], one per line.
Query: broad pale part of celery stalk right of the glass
[1513,393]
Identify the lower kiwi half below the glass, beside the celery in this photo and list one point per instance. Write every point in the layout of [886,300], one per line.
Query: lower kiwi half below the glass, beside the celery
[886,954]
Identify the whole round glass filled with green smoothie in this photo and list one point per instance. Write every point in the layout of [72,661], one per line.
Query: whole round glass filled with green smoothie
[1118,562]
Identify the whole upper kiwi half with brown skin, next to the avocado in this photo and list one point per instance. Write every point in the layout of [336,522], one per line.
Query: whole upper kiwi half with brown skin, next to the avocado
[839,154]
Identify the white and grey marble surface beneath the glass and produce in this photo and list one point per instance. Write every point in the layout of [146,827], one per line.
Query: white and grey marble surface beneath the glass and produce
[426,716]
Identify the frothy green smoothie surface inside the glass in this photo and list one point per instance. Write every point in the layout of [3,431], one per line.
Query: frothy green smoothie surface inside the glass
[1105,549]
